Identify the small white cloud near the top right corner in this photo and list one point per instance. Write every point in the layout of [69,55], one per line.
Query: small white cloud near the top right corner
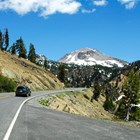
[129,4]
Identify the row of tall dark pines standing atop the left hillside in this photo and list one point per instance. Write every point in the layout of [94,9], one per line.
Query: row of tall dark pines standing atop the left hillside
[17,48]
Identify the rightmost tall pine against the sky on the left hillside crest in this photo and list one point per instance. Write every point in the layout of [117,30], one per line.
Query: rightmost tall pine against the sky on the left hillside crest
[32,54]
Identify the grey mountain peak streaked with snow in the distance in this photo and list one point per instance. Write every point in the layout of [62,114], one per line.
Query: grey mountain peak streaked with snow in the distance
[91,56]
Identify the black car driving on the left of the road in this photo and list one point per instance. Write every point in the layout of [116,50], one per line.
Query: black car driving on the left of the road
[23,91]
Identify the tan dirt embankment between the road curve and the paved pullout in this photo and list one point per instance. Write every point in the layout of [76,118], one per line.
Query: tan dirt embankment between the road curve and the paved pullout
[78,103]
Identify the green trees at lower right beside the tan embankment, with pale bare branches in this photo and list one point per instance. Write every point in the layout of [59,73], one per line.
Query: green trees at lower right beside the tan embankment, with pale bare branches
[122,101]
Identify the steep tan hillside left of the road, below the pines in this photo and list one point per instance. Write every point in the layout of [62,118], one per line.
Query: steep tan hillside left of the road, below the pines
[27,73]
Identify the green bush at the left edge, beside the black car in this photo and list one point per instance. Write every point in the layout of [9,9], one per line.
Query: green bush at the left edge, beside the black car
[7,84]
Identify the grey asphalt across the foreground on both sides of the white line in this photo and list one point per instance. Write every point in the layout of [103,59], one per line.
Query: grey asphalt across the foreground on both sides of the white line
[36,123]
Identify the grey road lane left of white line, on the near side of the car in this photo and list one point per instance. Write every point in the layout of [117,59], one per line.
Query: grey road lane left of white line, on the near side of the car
[8,107]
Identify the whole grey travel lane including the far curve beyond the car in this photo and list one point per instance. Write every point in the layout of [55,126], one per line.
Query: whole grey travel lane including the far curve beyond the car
[9,104]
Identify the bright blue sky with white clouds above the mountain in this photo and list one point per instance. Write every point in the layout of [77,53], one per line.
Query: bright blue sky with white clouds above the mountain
[57,27]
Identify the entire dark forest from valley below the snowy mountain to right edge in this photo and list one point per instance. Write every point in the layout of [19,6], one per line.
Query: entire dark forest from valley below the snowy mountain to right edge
[122,96]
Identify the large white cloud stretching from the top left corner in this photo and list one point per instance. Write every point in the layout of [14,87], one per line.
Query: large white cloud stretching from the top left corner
[45,7]
